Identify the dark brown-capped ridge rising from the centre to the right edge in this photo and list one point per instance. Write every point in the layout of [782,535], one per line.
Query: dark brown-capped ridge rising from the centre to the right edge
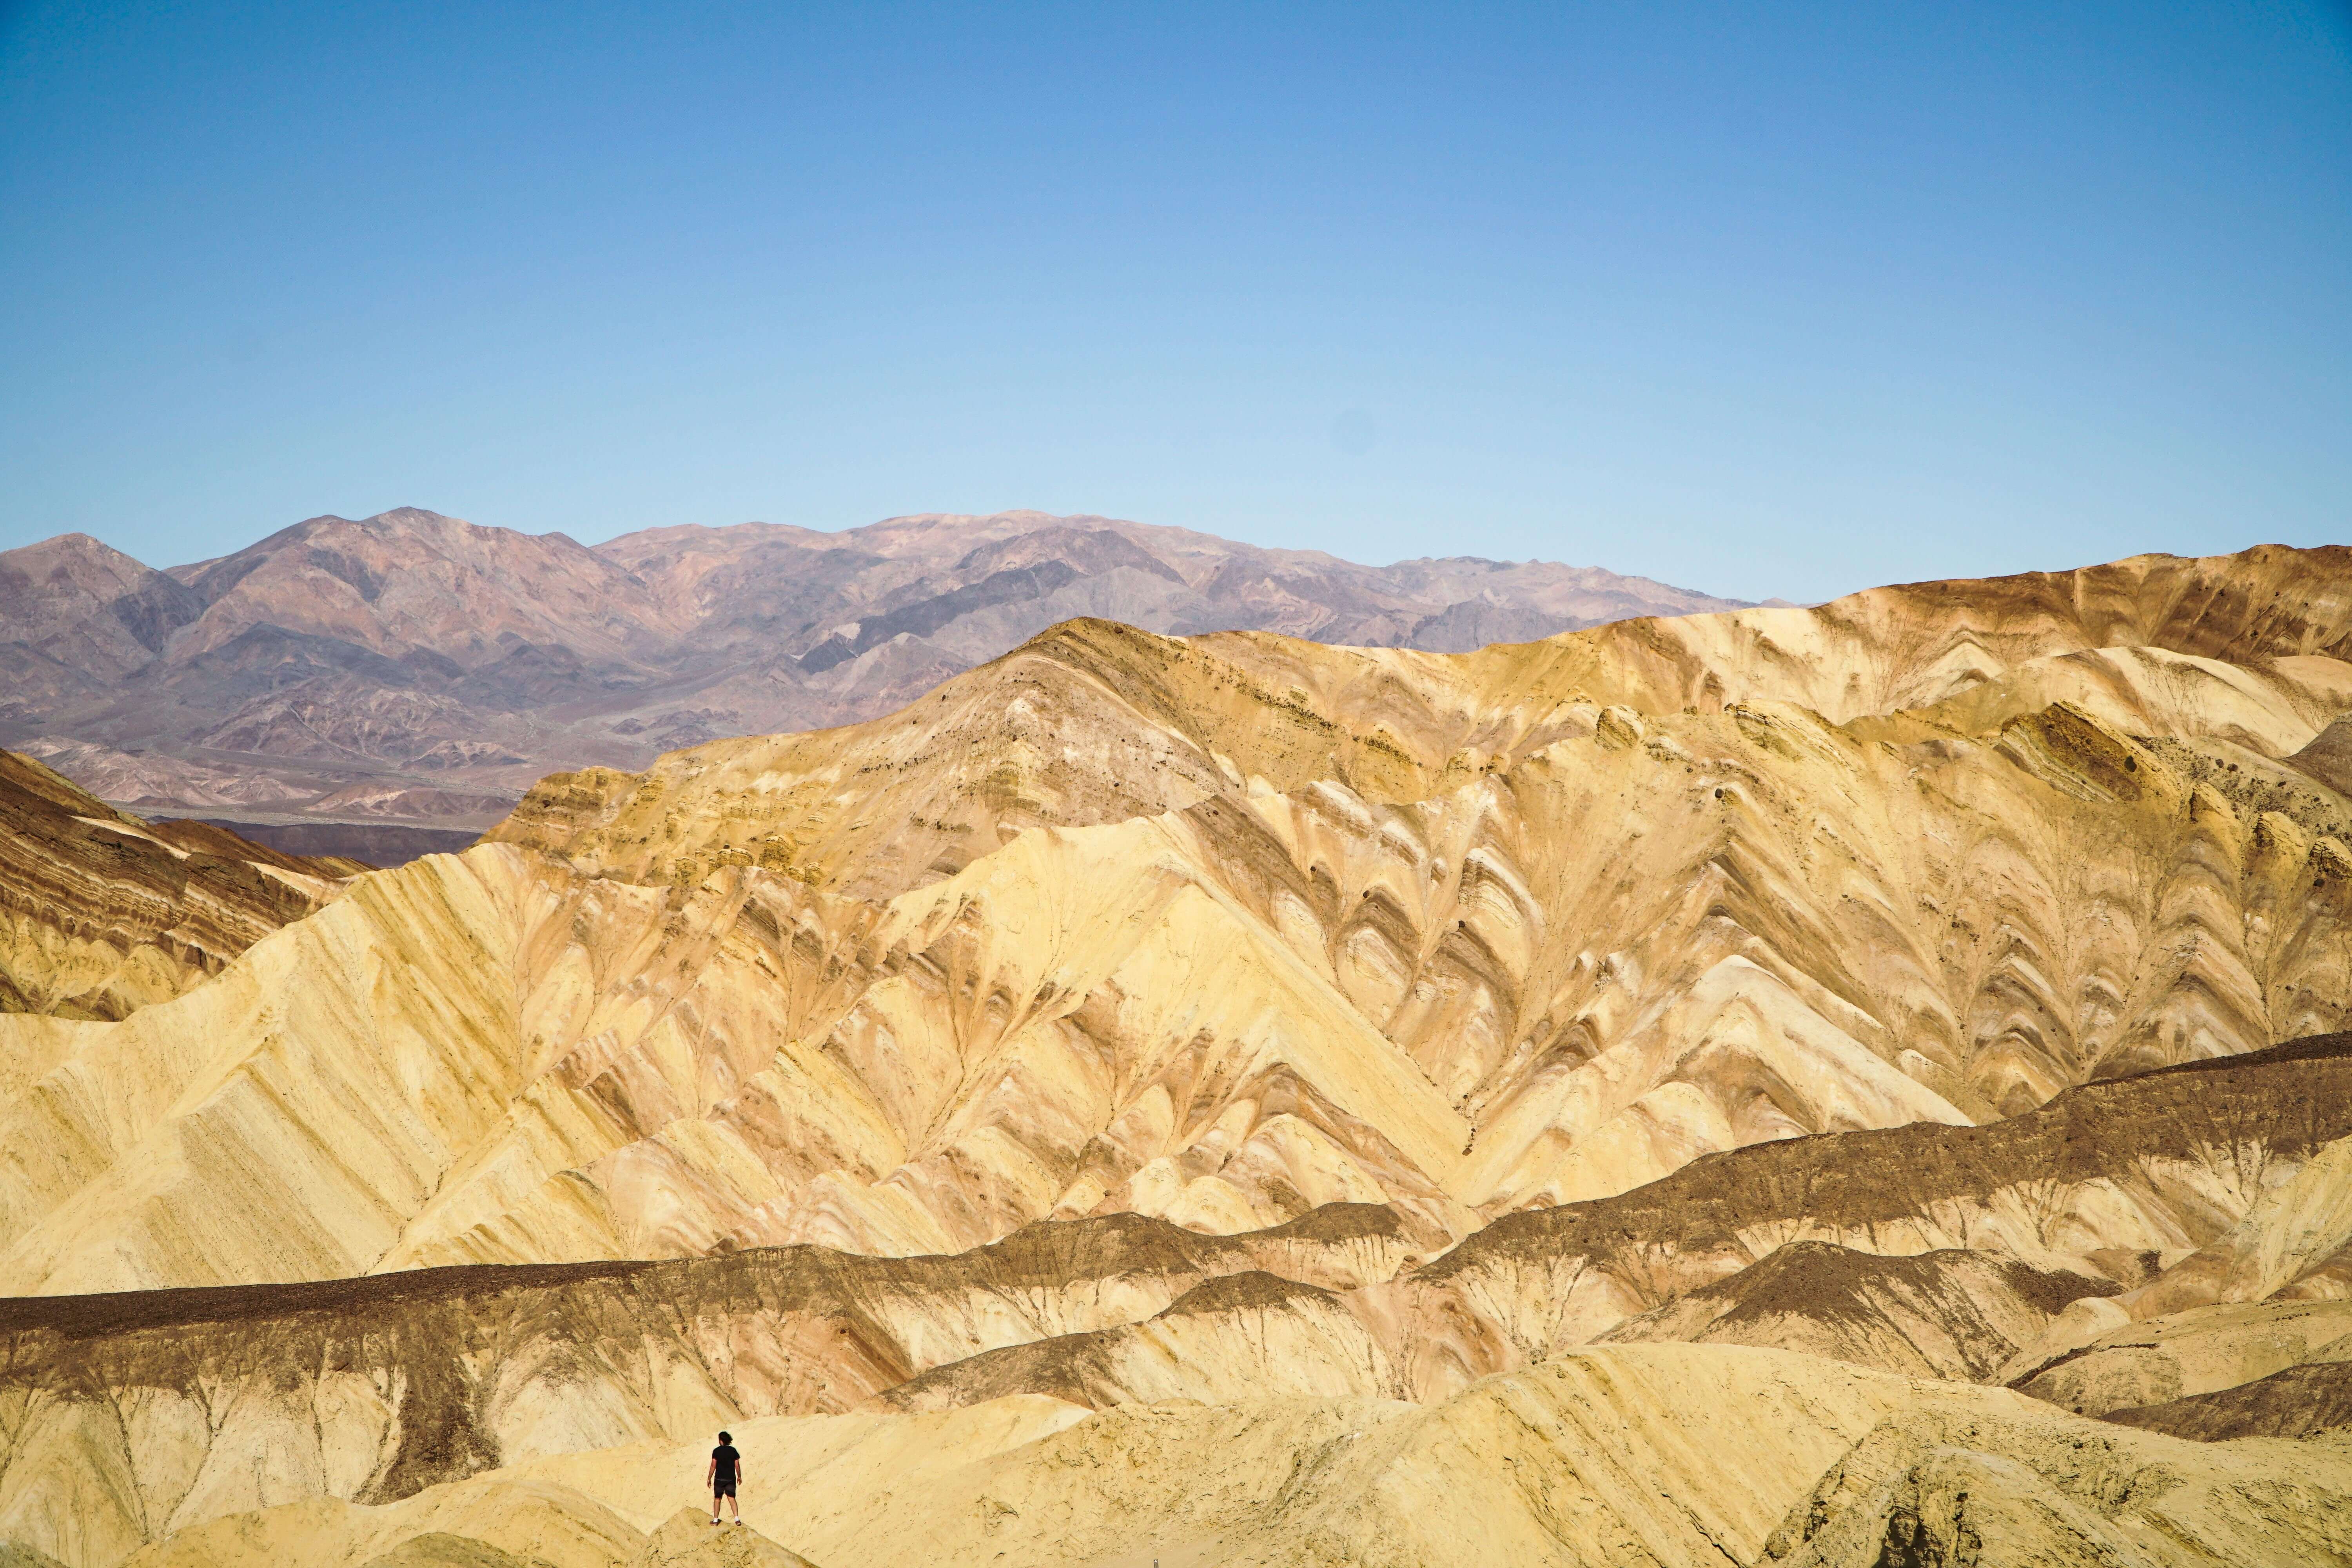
[2111,1181]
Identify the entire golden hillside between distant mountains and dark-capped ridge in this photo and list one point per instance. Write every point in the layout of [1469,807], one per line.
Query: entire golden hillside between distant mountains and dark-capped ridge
[1229,927]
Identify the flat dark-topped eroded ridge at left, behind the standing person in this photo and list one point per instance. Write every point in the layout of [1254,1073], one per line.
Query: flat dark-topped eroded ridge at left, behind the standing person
[171,1409]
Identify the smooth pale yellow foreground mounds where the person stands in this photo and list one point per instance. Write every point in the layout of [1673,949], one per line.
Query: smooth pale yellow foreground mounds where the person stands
[1657,1454]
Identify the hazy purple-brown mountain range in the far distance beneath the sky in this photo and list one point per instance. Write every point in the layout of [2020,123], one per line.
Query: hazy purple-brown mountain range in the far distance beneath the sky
[420,669]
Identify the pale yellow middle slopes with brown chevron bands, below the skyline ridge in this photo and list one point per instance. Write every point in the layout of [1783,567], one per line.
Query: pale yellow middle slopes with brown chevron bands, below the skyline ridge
[1546,986]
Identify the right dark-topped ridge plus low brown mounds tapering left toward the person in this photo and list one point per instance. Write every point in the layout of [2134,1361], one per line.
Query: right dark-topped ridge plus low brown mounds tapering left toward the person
[1833,1247]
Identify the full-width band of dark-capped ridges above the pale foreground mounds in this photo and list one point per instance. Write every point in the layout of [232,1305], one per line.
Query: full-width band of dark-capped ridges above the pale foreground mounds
[389,1388]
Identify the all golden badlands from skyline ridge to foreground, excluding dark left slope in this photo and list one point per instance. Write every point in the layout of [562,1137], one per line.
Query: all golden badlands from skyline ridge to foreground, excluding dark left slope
[1768,1087]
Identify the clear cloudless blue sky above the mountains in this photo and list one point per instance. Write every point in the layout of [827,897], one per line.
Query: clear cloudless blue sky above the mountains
[1758,300]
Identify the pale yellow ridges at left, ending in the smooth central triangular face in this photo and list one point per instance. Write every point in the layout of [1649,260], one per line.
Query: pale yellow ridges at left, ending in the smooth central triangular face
[309,1118]
